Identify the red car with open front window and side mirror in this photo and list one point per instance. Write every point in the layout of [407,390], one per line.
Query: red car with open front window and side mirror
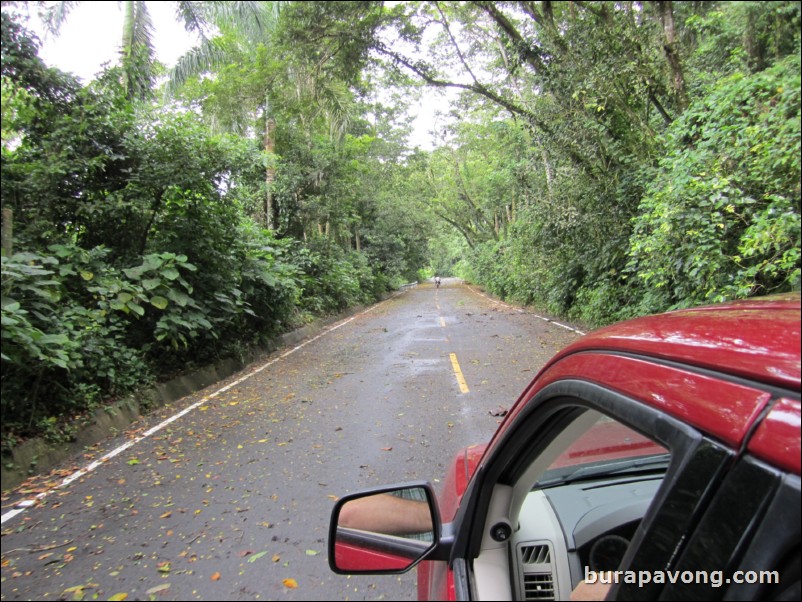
[655,459]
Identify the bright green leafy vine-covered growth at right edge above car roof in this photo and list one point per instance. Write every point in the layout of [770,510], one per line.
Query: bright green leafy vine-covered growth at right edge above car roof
[721,217]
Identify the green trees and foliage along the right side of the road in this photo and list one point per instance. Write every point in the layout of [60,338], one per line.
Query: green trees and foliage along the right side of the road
[652,158]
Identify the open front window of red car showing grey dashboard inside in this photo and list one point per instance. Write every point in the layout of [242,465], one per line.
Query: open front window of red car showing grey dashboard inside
[582,511]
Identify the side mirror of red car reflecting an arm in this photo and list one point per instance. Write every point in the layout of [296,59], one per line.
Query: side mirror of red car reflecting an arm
[386,530]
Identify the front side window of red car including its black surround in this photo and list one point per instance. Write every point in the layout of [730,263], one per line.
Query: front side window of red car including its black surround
[585,479]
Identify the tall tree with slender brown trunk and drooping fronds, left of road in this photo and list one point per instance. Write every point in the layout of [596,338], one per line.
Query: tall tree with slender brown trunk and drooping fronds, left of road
[282,73]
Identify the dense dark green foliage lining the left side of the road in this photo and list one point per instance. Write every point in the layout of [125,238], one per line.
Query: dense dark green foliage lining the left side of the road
[140,253]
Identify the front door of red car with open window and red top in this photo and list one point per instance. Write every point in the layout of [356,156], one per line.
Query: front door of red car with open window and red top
[521,533]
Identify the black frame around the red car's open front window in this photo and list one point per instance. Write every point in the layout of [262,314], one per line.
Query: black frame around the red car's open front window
[698,464]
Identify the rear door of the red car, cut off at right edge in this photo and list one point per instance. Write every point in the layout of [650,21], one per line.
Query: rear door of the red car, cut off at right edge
[747,544]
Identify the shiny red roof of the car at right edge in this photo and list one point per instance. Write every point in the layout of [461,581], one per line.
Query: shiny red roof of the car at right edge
[756,339]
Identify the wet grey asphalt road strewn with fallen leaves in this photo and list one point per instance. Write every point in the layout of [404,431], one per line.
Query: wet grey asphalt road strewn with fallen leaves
[232,500]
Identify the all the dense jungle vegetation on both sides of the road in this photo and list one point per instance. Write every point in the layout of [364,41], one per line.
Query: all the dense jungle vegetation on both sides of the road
[601,160]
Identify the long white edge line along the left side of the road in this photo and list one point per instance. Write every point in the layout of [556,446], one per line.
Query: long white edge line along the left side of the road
[23,505]
